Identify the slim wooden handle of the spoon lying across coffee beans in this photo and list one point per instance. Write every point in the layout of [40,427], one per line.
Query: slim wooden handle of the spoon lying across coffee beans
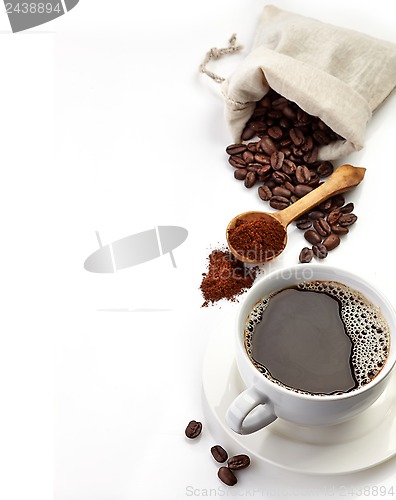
[342,179]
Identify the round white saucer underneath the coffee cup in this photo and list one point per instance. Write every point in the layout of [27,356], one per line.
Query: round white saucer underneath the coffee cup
[361,443]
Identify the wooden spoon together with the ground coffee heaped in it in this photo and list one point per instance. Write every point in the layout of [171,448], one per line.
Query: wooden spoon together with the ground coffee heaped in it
[343,179]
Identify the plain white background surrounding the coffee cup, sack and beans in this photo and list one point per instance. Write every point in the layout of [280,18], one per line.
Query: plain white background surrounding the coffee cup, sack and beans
[106,125]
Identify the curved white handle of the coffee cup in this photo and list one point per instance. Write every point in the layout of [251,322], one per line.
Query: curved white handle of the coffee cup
[250,412]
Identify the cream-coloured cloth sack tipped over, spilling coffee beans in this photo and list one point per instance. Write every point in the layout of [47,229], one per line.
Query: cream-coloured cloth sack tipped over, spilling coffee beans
[340,75]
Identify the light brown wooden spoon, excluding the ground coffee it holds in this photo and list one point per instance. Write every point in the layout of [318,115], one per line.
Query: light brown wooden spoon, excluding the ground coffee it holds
[343,178]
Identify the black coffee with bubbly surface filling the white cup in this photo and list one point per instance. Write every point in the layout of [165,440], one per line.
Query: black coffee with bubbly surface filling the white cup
[318,338]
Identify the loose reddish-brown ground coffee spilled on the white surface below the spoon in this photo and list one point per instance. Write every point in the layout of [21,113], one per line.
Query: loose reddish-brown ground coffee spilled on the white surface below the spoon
[226,277]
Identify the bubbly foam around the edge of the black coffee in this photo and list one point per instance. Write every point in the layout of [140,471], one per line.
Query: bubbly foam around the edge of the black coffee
[363,321]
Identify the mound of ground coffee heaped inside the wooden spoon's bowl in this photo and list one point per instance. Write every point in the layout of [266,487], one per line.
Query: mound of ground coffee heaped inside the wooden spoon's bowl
[257,239]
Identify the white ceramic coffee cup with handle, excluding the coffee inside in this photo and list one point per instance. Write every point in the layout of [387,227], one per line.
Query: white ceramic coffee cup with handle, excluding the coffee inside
[263,401]
